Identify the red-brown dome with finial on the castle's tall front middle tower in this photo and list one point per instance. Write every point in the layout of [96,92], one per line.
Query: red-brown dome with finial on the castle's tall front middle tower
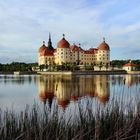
[63,43]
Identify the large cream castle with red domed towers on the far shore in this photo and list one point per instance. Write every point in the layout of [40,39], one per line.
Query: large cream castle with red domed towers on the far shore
[67,53]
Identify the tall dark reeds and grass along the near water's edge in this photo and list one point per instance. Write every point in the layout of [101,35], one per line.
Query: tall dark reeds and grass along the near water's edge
[115,121]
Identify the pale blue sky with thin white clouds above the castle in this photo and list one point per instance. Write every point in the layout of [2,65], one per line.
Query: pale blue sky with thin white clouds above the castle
[24,24]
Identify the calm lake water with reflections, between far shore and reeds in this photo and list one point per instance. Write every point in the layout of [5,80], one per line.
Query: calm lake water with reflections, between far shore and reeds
[65,92]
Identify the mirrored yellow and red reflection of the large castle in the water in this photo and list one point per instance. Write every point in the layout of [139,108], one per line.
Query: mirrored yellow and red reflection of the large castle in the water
[67,89]
